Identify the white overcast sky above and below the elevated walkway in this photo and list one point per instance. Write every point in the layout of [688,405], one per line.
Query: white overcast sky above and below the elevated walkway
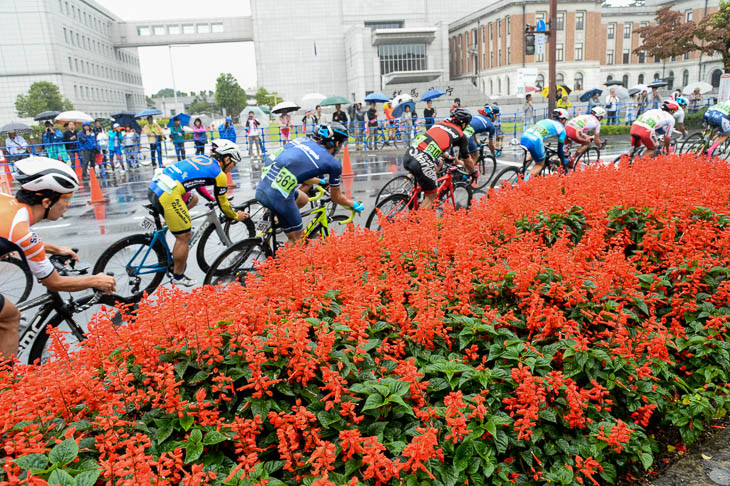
[196,67]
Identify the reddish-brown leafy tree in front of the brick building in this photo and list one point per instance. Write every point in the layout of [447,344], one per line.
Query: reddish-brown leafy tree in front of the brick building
[670,36]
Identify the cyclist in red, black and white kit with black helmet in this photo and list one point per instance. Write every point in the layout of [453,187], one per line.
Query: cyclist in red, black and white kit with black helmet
[420,158]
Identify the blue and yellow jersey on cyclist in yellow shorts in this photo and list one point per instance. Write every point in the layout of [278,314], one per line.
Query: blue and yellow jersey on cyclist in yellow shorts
[193,173]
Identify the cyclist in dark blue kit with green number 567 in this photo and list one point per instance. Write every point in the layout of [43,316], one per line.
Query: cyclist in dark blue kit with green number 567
[303,161]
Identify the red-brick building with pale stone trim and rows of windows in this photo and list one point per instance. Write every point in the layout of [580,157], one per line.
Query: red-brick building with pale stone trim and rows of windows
[595,43]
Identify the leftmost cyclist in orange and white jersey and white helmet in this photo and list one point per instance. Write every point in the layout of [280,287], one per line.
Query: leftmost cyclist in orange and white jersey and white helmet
[46,187]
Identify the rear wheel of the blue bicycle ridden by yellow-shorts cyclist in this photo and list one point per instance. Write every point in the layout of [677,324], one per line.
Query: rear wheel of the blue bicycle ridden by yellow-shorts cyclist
[137,267]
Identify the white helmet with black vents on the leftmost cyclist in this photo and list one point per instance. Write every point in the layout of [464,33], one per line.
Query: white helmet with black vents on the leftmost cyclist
[38,174]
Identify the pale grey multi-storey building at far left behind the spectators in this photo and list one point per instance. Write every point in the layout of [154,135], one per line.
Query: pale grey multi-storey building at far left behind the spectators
[66,42]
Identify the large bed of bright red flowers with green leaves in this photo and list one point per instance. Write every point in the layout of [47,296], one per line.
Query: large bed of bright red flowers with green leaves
[558,332]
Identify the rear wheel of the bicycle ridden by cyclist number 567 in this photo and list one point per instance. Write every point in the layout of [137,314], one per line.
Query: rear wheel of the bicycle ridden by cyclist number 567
[236,262]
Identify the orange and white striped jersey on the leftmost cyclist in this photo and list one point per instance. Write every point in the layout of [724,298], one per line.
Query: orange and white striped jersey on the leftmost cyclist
[15,228]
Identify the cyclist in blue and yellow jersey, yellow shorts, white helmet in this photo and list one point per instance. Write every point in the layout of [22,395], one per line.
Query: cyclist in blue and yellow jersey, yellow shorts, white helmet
[167,193]
